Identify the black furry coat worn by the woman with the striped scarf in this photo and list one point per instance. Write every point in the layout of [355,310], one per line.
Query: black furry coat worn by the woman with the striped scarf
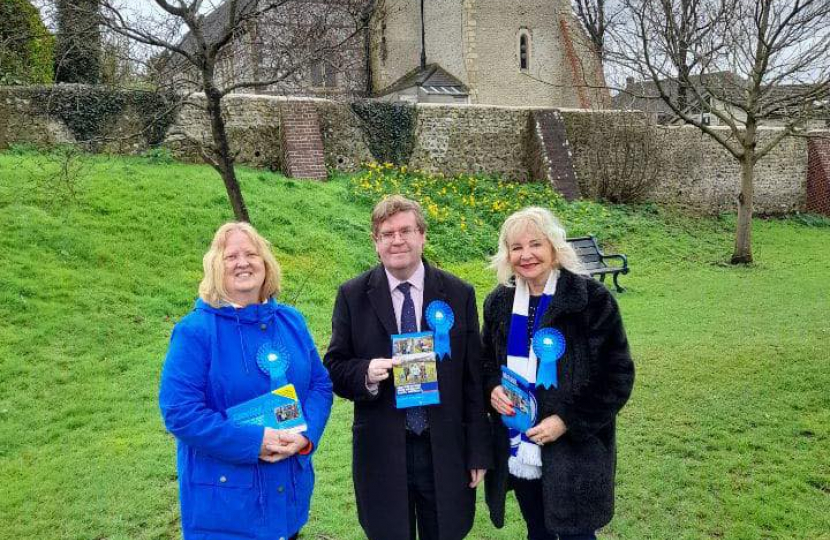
[596,376]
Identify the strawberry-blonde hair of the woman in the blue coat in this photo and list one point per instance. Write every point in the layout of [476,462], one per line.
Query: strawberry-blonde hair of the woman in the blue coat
[212,288]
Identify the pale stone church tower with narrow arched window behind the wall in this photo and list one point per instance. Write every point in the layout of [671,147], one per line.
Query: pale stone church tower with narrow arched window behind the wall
[498,52]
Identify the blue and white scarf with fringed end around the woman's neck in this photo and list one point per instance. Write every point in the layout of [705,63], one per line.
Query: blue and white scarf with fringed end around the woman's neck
[525,456]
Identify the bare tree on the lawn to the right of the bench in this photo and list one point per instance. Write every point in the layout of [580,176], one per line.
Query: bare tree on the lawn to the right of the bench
[738,63]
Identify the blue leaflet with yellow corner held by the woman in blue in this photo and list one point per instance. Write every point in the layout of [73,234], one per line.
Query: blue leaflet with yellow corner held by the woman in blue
[278,409]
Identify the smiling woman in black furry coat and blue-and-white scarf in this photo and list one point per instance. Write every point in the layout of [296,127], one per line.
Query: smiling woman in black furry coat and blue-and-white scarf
[560,334]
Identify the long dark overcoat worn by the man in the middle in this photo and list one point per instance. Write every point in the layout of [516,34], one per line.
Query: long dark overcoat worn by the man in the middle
[362,324]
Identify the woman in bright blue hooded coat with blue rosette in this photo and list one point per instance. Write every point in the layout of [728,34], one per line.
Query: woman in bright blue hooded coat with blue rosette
[239,479]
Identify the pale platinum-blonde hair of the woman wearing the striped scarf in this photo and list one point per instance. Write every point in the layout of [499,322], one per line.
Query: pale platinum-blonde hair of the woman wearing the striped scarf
[540,220]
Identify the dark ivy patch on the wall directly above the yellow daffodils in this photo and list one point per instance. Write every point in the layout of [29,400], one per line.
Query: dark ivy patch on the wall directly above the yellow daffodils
[389,129]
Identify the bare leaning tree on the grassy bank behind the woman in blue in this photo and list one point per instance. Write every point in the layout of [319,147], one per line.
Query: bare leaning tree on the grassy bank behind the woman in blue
[218,49]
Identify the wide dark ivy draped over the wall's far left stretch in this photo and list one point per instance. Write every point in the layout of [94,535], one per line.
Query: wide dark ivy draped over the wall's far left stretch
[89,111]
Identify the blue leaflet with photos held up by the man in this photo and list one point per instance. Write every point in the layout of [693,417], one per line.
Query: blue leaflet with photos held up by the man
[416,378]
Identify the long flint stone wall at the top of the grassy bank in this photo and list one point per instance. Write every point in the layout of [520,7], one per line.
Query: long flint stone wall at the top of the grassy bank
[696,172]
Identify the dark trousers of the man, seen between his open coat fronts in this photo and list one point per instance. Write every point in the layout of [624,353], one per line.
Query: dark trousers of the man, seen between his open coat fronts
[420,482]
